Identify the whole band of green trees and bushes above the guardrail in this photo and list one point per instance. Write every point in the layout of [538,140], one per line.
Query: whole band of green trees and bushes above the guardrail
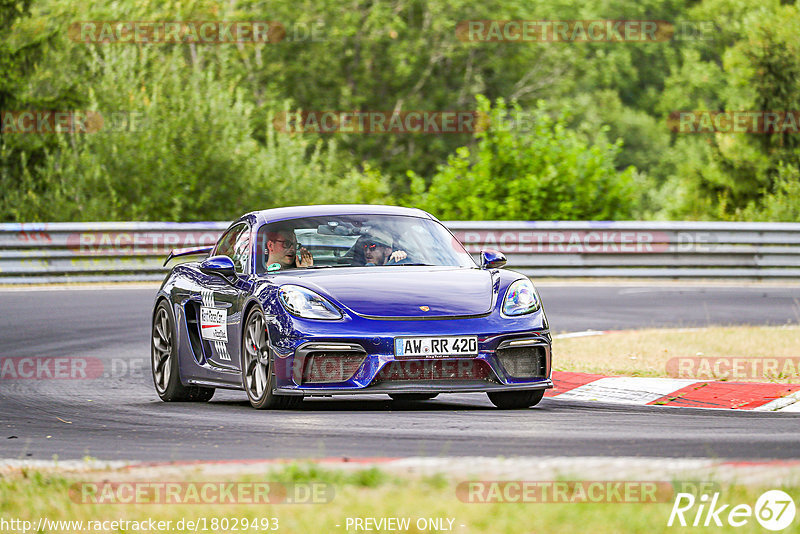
[595,144]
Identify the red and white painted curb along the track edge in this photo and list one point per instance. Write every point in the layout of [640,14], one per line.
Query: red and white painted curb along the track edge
[677,392]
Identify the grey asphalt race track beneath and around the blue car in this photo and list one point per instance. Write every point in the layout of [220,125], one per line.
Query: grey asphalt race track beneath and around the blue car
[119,416]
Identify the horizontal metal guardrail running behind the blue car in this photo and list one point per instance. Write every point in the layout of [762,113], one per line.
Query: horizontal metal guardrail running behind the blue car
[118,251]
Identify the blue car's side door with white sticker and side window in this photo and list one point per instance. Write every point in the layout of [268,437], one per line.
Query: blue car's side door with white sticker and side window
[221,301]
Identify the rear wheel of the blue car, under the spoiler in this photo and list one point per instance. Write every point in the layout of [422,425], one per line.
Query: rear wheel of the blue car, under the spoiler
[164,361]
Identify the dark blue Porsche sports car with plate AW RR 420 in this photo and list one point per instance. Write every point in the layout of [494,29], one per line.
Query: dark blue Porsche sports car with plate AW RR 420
[338,300]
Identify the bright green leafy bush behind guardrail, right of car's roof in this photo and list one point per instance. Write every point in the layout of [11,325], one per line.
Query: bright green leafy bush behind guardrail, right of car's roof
[546,172]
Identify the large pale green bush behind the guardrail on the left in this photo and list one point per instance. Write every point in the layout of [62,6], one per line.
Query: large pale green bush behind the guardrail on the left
[188,152]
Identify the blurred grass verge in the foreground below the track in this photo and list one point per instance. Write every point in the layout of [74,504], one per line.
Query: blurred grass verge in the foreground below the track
[369,493]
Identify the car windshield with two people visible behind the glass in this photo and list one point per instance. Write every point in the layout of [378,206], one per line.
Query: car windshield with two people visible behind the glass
[357,241]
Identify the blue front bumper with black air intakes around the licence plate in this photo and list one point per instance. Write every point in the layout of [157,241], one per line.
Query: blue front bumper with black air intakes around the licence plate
[369,364]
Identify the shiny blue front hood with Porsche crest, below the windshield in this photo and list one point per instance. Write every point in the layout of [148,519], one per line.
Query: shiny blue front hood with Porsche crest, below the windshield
[393,292]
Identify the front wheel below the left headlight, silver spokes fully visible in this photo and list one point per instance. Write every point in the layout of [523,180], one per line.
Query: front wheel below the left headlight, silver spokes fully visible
[258,373]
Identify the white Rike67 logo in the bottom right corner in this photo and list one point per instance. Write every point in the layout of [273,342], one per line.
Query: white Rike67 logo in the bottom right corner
[774,510]
